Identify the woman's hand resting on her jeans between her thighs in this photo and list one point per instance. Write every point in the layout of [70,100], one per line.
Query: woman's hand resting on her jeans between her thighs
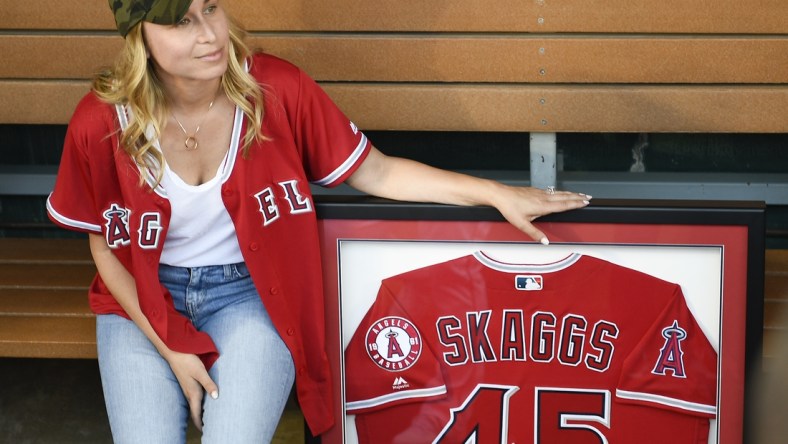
[194,381]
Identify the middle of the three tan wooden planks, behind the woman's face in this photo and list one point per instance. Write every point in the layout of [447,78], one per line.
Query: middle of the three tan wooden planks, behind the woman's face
[392,58]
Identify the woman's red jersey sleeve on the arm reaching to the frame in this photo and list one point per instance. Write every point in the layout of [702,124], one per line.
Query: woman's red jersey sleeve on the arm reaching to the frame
[332,147]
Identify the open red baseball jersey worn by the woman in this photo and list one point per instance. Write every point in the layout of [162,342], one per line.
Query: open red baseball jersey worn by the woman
[267,195]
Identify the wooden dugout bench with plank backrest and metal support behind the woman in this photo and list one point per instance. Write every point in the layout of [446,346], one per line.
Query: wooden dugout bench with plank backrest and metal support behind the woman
[536,66]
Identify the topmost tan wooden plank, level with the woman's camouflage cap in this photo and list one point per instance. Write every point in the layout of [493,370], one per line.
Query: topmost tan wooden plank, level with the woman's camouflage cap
[594,16]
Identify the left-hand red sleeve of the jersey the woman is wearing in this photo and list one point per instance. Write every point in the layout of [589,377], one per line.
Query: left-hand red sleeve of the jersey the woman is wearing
[71,204]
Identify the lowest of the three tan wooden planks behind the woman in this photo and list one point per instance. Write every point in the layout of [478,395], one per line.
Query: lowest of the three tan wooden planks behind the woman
[463,107]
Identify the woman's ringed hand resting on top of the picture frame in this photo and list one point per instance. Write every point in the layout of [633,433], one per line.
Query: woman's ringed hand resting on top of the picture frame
[521,205]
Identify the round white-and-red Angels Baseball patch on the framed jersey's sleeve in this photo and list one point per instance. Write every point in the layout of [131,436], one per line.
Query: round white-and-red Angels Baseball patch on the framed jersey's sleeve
[393,343]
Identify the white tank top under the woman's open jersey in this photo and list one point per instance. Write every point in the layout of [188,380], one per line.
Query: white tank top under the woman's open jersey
[201,232]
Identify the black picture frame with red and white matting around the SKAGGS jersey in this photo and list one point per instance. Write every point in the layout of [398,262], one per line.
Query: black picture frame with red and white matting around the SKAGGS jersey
[713,250]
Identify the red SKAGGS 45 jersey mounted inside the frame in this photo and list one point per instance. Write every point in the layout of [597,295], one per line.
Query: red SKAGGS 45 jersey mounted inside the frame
[578,351]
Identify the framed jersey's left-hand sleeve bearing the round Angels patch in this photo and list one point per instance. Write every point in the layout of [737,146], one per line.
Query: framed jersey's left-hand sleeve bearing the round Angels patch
[387,362]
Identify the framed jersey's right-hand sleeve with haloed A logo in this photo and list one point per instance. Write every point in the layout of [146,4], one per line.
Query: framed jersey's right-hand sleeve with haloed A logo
[674,366]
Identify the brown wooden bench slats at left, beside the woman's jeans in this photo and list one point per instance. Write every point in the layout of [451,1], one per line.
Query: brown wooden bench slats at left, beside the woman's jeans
[43,299]
